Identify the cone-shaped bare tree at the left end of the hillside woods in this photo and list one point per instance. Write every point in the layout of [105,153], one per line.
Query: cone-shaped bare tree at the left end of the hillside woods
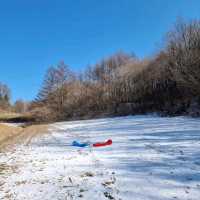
[54,90]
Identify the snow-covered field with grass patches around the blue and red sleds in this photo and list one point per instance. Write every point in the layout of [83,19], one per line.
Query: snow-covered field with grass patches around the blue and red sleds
[151,158]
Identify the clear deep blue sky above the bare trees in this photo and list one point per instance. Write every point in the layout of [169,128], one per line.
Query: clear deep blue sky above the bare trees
[37,34]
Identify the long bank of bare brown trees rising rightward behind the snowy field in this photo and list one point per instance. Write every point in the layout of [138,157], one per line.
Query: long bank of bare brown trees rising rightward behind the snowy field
[167,83]
